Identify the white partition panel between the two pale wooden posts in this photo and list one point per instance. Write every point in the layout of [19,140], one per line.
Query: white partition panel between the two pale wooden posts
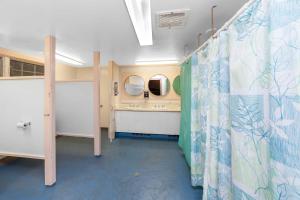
[74,108]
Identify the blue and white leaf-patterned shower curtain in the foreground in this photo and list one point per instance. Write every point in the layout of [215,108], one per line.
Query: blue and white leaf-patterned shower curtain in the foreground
[245,132]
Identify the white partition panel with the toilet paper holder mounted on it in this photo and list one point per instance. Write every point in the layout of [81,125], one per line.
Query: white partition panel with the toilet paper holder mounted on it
[22,100]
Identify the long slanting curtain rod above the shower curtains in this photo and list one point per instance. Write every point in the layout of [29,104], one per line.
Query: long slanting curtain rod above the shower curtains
[224,27]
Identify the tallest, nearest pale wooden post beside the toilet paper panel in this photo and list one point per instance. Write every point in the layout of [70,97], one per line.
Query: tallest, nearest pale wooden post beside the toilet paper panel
[49,116]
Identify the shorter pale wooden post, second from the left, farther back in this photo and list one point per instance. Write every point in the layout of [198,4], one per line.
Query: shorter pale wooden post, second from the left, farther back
[97,130]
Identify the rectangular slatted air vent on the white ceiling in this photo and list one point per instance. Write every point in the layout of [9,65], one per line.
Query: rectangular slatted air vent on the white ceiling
[174,18]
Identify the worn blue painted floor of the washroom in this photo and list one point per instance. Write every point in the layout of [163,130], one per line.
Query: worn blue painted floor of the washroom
[129,169]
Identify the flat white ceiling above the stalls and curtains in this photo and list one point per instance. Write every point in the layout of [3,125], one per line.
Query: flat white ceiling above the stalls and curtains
[82,26]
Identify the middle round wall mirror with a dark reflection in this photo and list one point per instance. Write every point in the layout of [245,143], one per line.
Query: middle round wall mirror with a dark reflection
[159,85]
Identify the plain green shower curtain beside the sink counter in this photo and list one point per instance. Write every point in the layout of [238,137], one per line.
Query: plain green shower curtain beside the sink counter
[185,119]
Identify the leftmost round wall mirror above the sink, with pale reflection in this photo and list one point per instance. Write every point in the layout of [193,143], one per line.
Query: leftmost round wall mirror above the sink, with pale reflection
[134,85]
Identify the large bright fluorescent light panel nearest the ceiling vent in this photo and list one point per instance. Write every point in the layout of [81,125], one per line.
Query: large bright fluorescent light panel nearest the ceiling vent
[140,14]
